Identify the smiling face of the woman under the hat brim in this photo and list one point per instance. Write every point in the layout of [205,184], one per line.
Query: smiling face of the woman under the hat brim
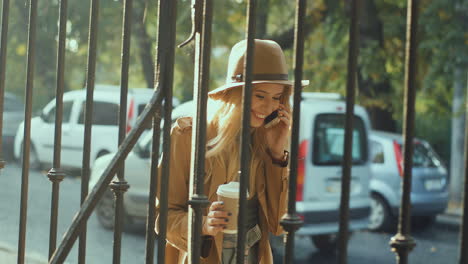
[265,100]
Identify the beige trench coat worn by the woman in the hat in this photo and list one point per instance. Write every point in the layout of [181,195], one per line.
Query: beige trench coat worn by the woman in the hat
[271,187]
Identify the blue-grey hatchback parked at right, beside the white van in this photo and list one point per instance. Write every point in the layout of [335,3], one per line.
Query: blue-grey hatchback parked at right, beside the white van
[429,192]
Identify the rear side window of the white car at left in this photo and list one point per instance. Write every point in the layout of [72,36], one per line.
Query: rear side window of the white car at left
[104,113]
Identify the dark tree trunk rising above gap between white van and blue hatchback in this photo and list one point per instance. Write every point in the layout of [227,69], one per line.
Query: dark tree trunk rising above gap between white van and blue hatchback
[371,30]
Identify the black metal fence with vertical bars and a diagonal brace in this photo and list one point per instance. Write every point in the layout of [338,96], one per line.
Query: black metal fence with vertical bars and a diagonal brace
[202,14]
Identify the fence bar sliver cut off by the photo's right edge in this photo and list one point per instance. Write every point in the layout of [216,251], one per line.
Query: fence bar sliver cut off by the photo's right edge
[463,259]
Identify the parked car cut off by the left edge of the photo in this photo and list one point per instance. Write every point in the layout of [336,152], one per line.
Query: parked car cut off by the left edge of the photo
[13,115]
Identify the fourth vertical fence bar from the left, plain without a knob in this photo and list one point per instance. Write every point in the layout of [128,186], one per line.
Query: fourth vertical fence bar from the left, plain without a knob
[88,112]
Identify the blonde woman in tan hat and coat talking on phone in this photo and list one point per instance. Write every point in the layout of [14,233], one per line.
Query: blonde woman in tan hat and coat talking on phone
[268,173]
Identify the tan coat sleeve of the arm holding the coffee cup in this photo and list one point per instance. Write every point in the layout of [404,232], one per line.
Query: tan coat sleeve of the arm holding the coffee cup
[179,162]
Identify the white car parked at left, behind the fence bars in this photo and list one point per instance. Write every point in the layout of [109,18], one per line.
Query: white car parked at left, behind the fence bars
[104,125]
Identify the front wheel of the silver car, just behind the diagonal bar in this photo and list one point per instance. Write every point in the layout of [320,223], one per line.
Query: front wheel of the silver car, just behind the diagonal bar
[105,211]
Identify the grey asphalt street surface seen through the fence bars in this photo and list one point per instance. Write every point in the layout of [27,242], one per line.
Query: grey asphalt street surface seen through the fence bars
[436,244]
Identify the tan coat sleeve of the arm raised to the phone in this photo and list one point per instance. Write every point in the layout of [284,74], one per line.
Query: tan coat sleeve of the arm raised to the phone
[276,190]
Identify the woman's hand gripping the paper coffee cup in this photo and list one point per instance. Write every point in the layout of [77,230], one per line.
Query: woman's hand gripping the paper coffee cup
[216,219]
